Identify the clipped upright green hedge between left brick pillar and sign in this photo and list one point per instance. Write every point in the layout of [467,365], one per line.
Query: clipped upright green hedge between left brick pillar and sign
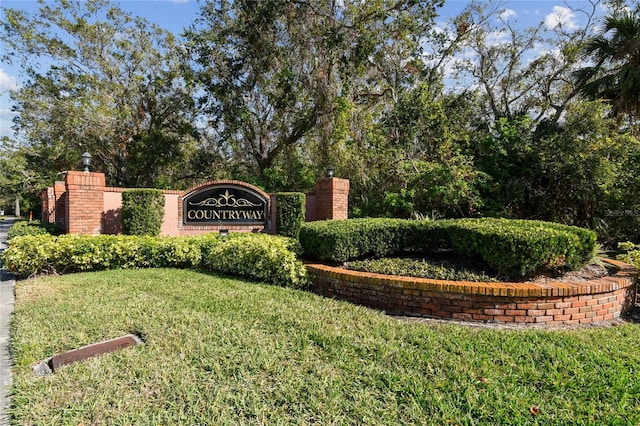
[142,211]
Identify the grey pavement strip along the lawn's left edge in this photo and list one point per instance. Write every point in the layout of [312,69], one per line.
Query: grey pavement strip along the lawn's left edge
[7,301]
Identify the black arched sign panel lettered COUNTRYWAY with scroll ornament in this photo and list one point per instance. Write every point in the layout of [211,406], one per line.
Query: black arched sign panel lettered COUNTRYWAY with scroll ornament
[225,204]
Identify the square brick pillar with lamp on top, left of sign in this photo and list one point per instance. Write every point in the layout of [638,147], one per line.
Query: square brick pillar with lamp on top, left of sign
[85,202]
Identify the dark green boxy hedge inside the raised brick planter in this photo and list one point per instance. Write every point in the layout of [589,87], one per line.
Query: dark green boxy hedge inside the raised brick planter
[511,247]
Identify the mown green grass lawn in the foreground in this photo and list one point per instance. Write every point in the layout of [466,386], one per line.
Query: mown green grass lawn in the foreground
[227,351]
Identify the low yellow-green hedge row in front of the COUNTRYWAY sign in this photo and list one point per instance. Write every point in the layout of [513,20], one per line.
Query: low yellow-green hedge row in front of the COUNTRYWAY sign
[257,256]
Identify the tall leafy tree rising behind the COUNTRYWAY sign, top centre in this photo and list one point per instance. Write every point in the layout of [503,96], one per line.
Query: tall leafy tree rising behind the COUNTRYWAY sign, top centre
[278,72]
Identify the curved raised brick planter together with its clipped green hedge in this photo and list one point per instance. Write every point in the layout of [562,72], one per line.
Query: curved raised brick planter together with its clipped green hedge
[522,248]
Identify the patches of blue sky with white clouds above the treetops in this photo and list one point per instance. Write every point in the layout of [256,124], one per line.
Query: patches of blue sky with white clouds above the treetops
[175,15]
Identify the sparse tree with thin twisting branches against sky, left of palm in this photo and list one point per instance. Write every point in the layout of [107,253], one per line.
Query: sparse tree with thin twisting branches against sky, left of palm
[512,79]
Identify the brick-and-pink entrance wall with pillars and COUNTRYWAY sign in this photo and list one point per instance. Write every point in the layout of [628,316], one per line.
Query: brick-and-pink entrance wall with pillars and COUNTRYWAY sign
[83,204]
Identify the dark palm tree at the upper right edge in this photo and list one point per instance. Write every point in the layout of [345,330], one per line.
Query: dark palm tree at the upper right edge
[615,74]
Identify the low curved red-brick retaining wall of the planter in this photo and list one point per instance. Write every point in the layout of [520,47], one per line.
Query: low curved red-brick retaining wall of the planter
[577,302]
